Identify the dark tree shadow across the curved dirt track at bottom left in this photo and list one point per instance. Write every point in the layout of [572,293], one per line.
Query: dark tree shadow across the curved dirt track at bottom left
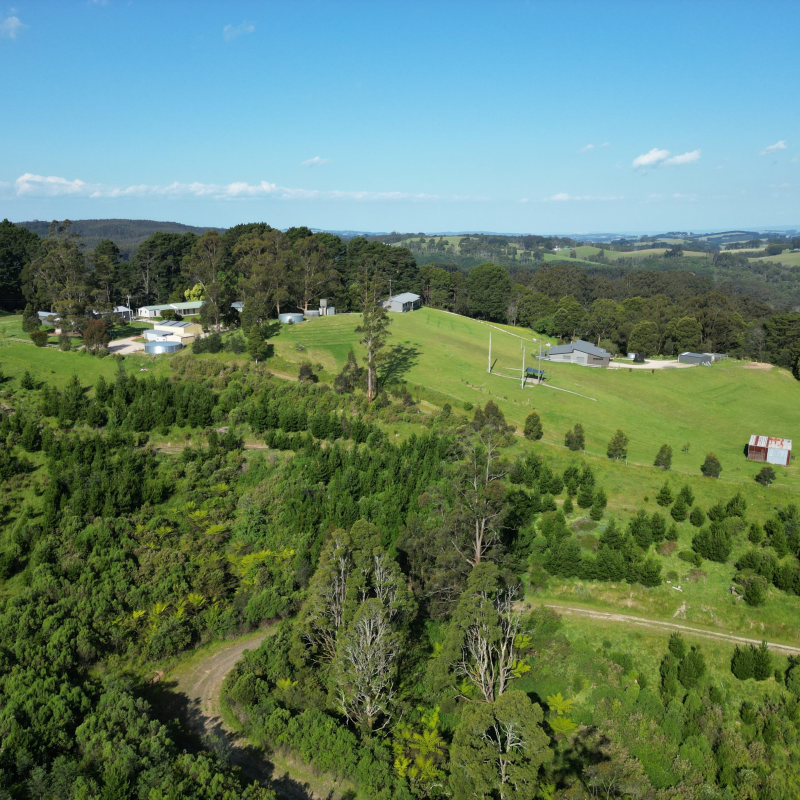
[194,731]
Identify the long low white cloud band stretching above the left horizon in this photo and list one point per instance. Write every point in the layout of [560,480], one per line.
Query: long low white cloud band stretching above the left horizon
[31,185]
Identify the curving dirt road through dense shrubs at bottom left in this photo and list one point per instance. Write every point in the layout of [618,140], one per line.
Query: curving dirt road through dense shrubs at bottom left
[195,689]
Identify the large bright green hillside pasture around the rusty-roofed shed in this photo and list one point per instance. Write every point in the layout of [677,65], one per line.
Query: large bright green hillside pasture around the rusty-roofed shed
[712,409]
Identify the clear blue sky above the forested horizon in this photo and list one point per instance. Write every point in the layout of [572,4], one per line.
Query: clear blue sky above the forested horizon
[539,117]
